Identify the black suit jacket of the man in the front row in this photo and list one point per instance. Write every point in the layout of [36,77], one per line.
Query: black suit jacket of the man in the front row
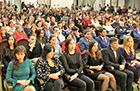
[109,58]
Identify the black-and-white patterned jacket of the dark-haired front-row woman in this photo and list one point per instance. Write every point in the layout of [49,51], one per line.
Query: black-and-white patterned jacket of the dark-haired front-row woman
[44,70]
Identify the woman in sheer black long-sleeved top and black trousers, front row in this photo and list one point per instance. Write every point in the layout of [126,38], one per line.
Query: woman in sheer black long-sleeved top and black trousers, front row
[74,66]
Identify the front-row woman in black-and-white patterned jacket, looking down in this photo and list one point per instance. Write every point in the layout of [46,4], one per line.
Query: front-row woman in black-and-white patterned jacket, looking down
[50,70]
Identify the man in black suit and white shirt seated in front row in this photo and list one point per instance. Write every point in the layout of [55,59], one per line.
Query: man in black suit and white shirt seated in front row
[112,56]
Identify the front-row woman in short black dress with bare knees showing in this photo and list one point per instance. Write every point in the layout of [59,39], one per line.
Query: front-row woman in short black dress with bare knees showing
[93,60]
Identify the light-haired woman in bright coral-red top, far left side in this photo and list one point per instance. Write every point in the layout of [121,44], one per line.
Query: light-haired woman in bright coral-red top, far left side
[19,33]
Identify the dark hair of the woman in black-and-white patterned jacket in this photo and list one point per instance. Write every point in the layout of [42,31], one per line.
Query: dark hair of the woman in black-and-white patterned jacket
[47,49]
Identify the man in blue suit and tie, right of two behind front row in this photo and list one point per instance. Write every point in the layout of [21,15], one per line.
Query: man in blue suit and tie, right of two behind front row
[102,39]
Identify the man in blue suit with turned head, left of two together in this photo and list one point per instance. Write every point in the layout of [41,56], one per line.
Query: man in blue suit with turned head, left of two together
[84,41]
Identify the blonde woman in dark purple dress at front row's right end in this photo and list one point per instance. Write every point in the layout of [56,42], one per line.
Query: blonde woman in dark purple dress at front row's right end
[128,52]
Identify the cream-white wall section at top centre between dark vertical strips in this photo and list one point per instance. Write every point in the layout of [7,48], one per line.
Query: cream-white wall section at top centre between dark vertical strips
[61,3]
